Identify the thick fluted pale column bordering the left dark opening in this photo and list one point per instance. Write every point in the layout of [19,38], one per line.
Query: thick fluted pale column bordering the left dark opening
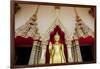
[35,53]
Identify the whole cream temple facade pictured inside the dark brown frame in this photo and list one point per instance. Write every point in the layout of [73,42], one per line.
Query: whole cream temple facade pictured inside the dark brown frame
[35,27]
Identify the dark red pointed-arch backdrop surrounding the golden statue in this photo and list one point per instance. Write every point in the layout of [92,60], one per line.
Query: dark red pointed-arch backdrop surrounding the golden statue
[58,30]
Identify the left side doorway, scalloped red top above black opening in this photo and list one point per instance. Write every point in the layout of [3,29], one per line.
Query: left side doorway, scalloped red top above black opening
[23,47]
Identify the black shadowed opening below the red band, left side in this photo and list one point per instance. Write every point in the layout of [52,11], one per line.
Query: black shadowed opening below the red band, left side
[22,55]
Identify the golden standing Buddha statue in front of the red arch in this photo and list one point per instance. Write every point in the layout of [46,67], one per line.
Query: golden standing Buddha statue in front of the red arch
[56,51]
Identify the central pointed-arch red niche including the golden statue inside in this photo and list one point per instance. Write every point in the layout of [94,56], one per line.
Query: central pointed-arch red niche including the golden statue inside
[56,50]
